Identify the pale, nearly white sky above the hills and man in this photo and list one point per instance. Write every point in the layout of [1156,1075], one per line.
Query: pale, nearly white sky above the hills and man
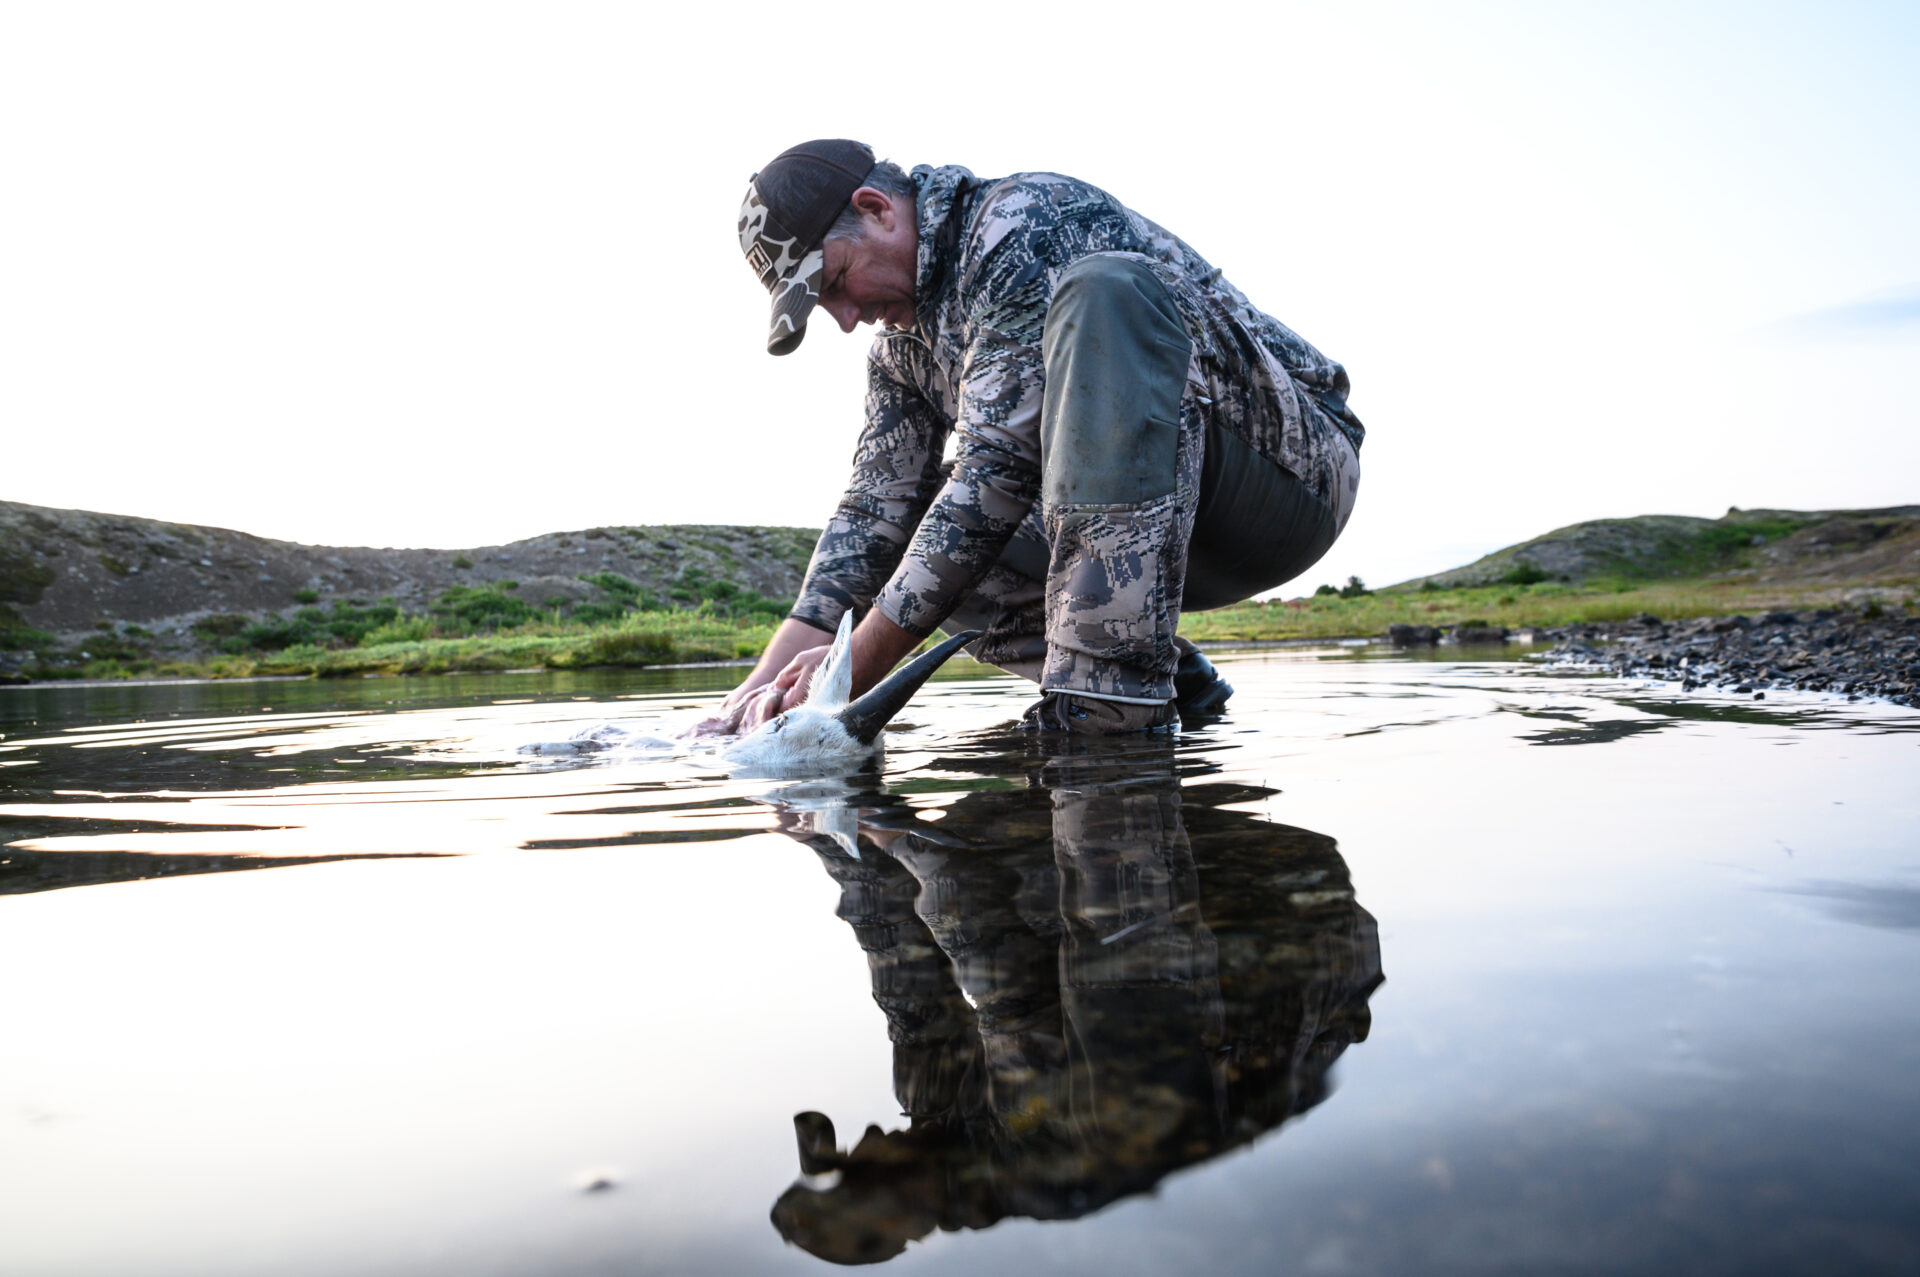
[462,274]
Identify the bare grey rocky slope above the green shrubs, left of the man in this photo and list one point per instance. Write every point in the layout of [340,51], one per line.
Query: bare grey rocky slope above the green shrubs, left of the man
[78,571]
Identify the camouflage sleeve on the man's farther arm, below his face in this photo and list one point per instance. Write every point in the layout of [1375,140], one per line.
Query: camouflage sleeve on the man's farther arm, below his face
[896,473]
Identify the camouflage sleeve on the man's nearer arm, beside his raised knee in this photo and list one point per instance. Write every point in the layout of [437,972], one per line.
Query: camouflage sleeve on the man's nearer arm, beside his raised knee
[997,458]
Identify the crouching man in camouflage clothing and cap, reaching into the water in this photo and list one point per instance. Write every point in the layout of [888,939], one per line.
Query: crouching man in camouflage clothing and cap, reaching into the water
[1130,437]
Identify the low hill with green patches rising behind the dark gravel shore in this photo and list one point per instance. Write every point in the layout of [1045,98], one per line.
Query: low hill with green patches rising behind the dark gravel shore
[1802,548]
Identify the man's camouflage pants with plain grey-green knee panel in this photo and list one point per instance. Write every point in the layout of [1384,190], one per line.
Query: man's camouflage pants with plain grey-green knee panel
[1090,592]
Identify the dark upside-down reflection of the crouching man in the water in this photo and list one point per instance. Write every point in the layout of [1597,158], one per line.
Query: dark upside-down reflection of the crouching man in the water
[1086,988]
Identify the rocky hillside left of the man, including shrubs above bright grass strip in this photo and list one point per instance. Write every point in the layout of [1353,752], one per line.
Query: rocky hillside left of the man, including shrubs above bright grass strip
[80,589]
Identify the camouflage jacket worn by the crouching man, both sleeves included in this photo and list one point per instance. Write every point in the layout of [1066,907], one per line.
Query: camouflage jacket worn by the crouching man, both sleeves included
[913,537]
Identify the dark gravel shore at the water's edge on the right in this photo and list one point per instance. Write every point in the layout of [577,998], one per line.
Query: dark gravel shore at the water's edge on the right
[1812,652]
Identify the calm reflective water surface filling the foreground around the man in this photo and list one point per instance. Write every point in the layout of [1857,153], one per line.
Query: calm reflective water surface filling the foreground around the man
[1410,967]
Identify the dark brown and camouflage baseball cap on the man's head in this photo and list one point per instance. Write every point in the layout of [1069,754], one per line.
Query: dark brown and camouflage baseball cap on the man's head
[790,206]
